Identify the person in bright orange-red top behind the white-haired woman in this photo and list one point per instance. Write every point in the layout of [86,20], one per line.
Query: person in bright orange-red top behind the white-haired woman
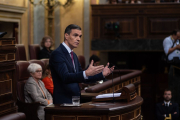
[47,80]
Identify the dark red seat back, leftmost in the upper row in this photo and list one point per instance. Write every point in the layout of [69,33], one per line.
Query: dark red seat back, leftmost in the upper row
[20,52]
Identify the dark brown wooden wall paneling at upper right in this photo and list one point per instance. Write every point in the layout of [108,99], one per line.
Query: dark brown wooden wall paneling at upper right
[136,20]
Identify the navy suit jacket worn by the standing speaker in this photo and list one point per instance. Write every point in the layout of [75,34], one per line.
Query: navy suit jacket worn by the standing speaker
[65,78]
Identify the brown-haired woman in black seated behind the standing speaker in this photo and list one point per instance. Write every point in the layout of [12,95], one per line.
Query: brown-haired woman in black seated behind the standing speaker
[46,44]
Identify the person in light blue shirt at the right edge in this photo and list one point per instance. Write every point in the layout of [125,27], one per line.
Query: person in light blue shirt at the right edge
[171,45]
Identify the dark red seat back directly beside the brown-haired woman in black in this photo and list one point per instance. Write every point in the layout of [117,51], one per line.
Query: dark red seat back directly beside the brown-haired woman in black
[34,51]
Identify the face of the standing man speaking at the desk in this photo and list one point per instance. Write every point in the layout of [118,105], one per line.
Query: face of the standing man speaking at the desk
[73,39]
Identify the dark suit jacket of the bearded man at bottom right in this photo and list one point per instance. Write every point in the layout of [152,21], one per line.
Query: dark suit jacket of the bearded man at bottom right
[161,109]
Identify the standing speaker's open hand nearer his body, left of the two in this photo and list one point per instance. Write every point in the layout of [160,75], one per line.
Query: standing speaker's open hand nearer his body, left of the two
[93,70]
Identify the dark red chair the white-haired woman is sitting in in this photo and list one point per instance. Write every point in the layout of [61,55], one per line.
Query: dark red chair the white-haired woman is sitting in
[30,109]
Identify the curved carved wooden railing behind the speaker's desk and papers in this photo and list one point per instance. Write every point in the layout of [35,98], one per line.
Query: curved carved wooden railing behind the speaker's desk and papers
[121,79]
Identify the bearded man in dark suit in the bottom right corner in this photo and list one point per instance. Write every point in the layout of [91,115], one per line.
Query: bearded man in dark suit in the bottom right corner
[167,108]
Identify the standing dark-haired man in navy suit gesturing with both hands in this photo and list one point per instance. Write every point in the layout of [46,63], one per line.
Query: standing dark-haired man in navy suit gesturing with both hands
[66,70]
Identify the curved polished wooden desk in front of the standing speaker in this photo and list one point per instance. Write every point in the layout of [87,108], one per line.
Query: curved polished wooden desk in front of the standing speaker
[108,111]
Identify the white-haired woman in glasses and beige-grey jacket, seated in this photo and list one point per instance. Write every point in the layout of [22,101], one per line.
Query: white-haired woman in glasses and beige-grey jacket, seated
[35,91]
